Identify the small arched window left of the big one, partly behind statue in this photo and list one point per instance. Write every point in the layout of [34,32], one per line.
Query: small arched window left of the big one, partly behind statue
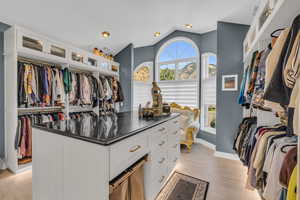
[142,84]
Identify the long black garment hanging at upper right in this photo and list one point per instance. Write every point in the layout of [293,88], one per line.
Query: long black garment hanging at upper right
[278,91]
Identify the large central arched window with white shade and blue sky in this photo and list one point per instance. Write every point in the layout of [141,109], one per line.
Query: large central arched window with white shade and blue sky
[177,71]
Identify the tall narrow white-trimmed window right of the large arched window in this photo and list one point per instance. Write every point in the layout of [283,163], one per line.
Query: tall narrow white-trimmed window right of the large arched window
[208,92]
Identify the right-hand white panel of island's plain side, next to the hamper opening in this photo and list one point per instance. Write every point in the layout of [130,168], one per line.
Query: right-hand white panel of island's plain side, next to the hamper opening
[86,178]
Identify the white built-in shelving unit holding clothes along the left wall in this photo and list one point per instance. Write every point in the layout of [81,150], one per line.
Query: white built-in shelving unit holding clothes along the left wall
[22,43]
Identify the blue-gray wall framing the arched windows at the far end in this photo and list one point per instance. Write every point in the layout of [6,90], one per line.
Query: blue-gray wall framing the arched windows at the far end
[206,42]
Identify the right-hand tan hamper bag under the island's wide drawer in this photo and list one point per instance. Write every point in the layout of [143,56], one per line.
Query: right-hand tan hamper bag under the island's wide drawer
[136,185]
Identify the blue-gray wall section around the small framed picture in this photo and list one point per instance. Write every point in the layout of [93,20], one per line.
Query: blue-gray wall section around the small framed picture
[230,53]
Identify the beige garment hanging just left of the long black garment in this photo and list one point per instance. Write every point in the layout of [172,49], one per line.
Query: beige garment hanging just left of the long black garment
[271,64]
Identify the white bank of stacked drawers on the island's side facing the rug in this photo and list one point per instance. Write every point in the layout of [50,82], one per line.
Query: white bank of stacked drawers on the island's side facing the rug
[164,154]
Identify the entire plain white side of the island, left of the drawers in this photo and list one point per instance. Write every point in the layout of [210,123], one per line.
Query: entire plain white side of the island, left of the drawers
[66,168]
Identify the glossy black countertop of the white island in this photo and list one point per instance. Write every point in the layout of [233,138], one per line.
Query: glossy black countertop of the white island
[104,130]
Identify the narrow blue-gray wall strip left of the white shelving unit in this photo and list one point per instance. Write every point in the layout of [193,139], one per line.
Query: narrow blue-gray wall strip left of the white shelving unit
[3,27]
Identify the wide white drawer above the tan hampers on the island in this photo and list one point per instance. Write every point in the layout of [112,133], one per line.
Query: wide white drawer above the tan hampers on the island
[125,153]
